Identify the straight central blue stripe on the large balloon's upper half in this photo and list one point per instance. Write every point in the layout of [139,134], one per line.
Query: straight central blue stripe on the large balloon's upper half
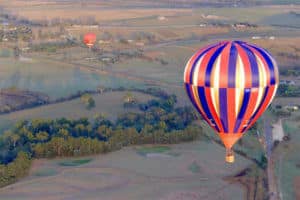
[232,66]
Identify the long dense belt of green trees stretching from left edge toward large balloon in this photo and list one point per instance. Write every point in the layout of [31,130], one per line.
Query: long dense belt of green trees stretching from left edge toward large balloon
[157,122]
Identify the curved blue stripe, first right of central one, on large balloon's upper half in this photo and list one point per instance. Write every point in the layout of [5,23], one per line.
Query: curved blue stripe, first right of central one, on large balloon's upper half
[253,64]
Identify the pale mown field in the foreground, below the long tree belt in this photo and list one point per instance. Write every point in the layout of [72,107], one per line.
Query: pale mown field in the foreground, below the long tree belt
[127,174]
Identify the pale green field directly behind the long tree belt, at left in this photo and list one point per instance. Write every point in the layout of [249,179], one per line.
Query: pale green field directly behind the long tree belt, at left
[109,104]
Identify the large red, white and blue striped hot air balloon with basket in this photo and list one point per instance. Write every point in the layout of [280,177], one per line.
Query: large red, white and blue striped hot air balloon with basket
[231,83]
